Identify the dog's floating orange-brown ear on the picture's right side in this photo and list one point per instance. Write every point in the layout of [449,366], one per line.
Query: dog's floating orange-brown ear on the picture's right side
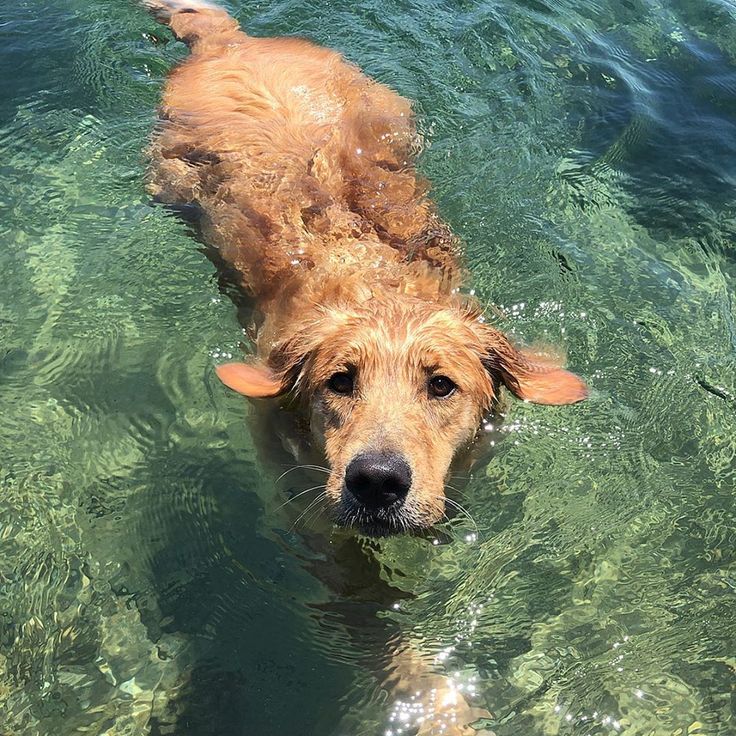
[530,376]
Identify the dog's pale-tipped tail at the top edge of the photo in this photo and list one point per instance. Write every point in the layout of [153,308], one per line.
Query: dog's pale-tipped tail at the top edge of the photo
[194,21]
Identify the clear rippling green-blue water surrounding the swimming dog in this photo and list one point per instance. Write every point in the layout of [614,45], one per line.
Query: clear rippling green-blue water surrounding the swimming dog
[586,153]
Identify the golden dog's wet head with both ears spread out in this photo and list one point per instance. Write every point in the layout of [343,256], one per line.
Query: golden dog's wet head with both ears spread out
[394,391]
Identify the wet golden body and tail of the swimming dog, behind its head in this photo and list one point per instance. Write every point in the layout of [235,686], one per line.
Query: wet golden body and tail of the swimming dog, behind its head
[295,158]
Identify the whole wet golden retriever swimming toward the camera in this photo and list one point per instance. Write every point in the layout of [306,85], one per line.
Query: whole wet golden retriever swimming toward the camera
[302,170]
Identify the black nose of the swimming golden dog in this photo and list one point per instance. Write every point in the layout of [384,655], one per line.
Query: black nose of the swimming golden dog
[378,479]
